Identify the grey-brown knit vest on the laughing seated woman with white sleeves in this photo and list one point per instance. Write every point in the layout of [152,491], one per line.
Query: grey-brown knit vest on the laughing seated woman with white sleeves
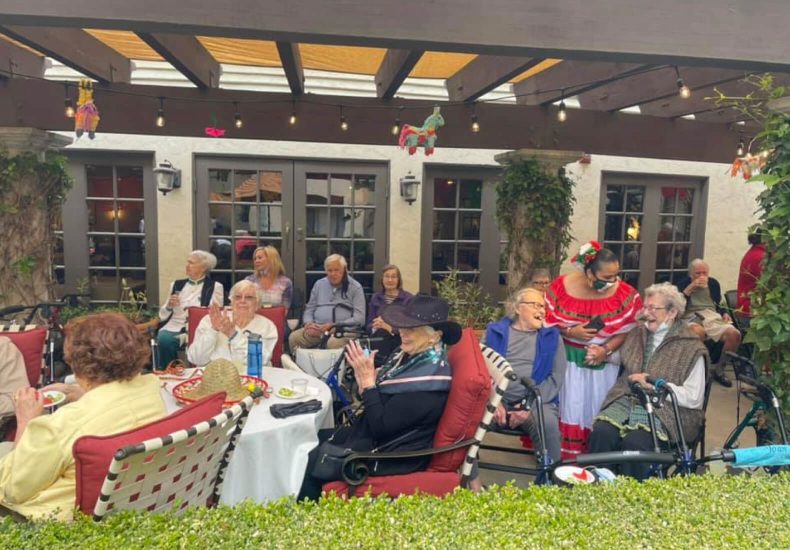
[673,360]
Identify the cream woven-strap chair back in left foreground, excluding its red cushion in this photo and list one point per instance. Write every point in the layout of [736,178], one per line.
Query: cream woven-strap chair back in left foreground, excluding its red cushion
[172,472]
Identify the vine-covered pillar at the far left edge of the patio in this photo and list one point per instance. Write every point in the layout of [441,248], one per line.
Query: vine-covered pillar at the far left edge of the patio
[32,192]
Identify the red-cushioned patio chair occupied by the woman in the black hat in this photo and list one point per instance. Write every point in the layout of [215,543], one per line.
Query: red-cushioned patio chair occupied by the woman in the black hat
[479,381]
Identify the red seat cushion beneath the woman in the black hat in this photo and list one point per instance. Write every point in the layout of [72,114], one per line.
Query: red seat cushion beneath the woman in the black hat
[433,483]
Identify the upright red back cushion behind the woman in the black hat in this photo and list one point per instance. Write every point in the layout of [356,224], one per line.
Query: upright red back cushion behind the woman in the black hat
[465,404]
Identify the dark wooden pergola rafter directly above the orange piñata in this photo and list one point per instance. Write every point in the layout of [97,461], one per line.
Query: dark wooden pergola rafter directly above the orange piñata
[76,49]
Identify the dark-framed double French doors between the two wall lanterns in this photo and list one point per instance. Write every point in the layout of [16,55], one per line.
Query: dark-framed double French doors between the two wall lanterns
[307,210]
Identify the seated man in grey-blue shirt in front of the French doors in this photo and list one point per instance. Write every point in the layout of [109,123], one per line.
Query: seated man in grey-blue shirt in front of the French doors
[337,298]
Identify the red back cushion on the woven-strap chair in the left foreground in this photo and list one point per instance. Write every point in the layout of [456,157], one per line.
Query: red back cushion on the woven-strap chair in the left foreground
[93,454]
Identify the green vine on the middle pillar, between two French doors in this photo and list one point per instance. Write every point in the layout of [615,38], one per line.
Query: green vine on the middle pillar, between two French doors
[534,208]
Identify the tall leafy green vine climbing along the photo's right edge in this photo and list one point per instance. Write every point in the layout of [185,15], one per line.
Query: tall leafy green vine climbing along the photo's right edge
[770,325]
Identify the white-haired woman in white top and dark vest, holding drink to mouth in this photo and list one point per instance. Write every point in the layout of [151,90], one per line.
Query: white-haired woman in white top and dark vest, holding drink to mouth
[198,289]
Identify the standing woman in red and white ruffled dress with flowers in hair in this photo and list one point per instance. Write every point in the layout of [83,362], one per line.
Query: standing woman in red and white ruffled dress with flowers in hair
[594,310]
